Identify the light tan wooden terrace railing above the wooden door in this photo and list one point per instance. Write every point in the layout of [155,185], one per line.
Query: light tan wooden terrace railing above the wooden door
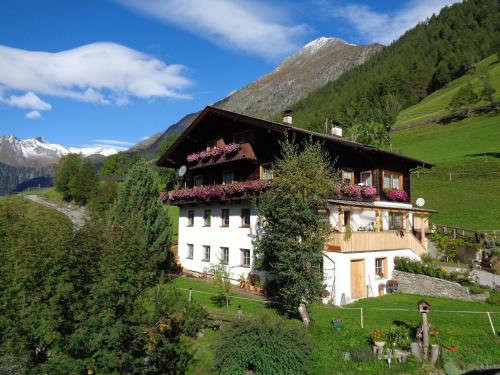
[373,241]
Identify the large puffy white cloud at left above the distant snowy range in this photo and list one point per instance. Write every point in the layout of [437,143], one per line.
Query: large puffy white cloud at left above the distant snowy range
[100,73]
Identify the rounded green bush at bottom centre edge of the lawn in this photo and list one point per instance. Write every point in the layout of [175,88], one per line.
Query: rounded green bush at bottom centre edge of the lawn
[264,346]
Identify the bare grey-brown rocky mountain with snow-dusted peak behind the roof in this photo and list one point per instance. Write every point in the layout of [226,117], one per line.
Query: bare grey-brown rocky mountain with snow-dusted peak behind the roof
[317,63]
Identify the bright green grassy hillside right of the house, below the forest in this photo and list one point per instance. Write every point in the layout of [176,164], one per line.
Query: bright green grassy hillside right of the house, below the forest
[469,150]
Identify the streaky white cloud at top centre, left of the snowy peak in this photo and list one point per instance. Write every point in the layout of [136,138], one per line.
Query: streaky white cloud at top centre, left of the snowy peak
[250,26]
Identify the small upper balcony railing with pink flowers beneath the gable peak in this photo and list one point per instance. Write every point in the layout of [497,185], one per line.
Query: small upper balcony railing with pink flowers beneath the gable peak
[222,155]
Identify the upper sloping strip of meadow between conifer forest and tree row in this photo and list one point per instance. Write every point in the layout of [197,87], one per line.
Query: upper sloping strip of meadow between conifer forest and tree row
[433,107]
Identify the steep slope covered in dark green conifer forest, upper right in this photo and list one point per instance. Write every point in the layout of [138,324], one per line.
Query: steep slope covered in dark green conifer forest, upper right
[423,60]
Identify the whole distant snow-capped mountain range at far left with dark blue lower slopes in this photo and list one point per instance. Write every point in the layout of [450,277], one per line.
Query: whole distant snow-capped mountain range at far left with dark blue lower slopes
[30,162]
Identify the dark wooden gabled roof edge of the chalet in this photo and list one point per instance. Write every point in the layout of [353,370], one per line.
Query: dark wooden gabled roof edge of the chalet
[165,160]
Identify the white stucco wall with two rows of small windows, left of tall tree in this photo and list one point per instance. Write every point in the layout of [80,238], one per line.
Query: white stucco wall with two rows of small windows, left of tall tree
[234,237]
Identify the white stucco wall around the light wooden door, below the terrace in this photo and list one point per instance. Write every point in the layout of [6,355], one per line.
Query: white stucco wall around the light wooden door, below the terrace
[337,266]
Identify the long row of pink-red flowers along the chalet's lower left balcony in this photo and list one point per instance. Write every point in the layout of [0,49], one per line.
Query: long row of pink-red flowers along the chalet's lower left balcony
[215,192]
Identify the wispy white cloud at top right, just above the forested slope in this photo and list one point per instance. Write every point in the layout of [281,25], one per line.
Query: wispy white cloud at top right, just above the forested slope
[384,28]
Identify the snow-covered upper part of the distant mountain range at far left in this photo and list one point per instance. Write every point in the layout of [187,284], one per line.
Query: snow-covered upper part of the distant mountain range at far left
[38,152]
